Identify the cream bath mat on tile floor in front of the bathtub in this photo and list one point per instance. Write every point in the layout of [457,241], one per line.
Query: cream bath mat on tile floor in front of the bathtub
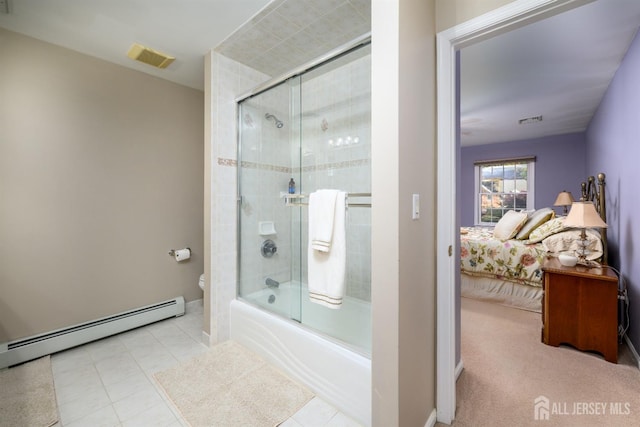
[232,386]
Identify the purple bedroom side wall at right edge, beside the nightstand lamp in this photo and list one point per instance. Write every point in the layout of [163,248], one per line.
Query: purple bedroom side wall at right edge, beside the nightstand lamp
[613,147]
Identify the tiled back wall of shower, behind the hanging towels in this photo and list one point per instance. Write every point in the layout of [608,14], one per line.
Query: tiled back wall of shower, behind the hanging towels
[336,153]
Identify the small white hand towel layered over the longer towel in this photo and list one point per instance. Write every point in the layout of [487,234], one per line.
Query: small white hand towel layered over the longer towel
[322,206]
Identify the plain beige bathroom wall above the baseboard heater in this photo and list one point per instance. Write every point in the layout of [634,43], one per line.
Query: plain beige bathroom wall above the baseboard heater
[101,173]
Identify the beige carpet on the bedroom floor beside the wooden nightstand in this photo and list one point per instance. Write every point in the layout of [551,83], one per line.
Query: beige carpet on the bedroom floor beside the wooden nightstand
[506,367]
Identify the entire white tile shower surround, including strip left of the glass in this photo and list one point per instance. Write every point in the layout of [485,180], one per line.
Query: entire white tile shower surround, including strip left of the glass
[335,153]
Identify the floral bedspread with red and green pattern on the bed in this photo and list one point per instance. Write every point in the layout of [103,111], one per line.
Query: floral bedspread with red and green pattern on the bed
[483,255]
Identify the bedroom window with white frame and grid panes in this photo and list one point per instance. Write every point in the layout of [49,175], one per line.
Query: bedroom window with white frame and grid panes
[501,186]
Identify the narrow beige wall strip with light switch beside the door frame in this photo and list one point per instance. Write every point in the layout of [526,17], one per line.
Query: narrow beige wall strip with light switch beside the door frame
[417,144]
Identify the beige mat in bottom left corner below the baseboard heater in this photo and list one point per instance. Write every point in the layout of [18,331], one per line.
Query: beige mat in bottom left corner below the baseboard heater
[27,396]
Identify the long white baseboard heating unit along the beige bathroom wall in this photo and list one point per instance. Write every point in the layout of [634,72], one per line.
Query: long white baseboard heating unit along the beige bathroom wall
[23,350]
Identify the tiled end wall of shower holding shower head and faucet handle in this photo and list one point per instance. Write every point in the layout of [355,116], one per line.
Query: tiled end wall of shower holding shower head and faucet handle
[265,174]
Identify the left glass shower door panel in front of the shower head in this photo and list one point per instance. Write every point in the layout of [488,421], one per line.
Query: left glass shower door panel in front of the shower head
[268,153]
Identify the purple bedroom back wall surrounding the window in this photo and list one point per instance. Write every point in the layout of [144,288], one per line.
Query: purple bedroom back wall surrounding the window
[560,165]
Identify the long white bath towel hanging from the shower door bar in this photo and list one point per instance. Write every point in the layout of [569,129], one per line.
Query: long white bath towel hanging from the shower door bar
[326,270]
